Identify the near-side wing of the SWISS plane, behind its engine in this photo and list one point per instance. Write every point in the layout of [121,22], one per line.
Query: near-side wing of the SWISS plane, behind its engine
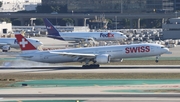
[77,56]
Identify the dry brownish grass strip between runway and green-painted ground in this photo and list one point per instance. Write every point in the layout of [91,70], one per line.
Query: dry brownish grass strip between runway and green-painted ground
[40,76]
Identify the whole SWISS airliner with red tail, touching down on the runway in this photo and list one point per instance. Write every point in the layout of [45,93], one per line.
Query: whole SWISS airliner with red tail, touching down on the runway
[97,55]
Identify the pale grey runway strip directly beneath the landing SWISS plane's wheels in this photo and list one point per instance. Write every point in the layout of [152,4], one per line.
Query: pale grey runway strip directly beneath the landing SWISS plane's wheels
[120,69]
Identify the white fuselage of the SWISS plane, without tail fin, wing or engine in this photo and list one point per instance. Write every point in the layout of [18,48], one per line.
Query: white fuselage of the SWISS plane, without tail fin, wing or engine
[115,52]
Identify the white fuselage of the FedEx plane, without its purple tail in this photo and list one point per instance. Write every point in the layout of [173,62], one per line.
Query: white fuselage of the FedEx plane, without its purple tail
[98,36]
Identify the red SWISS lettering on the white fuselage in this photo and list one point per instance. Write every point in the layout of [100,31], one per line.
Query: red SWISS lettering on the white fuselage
[137,49]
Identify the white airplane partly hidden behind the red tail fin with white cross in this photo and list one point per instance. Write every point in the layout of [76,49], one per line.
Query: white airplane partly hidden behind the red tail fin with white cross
[8,43]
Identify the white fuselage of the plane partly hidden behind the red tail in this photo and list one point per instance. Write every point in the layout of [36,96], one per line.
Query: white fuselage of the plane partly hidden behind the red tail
[12,42]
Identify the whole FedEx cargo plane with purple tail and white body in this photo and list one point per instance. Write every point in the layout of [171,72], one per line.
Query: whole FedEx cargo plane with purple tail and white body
[82,36]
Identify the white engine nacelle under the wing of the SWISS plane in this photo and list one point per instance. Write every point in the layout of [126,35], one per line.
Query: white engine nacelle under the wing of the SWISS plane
[103,58]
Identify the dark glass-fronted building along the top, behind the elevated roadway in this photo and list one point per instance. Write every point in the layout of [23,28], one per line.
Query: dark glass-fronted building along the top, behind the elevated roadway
[119,6]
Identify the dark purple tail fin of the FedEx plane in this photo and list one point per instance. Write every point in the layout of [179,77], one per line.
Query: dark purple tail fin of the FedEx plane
[52,31]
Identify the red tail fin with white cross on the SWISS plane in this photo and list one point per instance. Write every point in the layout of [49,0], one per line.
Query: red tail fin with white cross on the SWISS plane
[24,43]
